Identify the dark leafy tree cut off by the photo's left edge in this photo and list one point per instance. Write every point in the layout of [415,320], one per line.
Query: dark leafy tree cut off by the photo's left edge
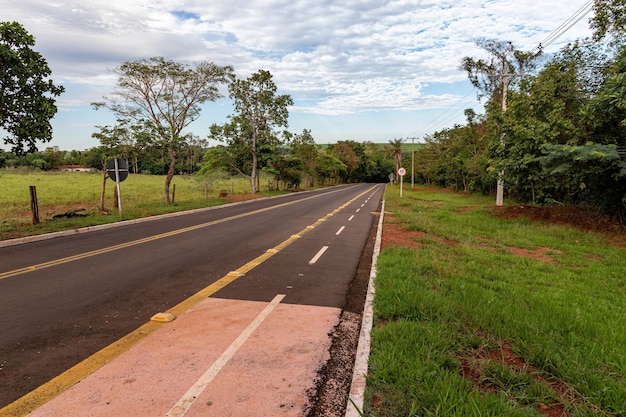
[26,93]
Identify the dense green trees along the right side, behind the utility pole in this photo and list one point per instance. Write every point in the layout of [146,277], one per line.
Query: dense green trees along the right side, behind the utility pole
[554,128]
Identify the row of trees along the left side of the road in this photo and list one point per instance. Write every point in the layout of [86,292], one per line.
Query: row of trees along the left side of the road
[155,99]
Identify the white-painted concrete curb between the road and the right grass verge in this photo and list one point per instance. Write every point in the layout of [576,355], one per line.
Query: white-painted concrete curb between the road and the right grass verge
[357,387]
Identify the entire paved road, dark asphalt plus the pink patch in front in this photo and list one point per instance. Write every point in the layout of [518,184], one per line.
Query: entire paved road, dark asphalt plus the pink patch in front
[257,288]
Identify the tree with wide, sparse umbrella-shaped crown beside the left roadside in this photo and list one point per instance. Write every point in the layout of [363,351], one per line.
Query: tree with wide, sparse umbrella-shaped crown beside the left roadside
[168,95]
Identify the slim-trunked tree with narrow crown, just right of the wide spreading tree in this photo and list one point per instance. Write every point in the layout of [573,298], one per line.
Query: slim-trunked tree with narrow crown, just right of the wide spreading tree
[260,110]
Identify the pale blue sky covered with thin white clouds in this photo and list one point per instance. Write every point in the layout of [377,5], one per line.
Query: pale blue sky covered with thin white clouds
[364,70]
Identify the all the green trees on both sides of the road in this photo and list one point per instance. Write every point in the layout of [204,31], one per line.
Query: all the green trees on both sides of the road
[553,131]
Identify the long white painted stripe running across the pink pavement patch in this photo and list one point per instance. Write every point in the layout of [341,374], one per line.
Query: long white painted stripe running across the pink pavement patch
[187,400]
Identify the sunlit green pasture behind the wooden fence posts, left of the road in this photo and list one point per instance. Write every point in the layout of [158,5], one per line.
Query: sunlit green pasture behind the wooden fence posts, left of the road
[142,195]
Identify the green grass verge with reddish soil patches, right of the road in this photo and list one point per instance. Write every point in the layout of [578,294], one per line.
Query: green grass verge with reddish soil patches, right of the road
[480,316]
